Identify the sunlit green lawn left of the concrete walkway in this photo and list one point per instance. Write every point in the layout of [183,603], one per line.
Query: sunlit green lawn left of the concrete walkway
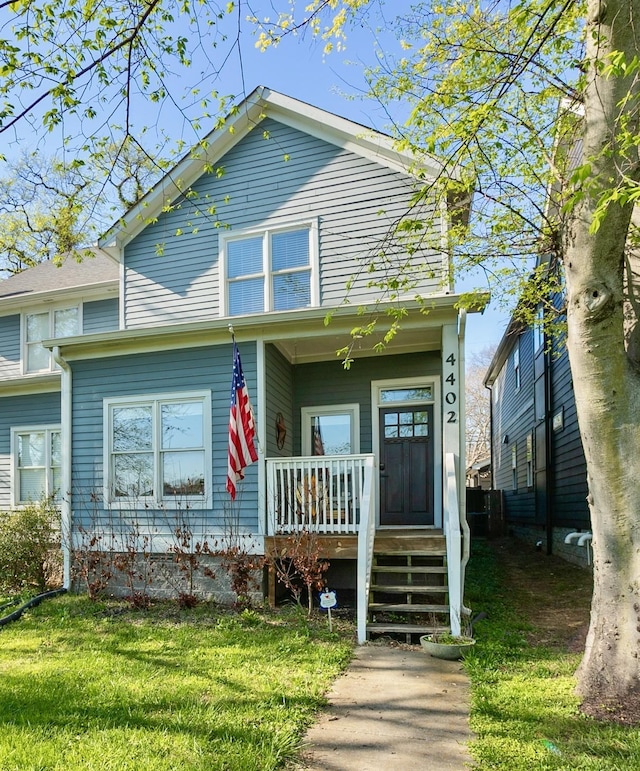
[95,686]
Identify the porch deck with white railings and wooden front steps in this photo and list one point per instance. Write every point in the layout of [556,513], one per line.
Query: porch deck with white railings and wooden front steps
[413,574]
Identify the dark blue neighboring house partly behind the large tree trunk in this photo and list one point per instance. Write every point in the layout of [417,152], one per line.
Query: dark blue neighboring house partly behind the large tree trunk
[537,458]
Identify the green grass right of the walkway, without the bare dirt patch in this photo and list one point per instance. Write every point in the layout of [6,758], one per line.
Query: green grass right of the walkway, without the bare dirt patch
[524,712]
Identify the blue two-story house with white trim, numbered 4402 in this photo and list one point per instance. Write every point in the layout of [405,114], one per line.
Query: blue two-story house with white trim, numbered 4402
[124,407]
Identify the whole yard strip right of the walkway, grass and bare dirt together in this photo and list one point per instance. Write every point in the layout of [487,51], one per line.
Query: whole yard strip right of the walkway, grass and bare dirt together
[524,711]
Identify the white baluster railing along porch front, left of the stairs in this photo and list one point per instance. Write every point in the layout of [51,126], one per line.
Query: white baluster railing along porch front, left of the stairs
[322,493]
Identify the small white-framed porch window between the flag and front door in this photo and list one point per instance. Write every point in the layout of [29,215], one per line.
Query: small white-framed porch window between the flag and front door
[332,430]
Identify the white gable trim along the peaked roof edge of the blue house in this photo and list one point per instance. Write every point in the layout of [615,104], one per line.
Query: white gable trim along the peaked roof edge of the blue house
[261,103]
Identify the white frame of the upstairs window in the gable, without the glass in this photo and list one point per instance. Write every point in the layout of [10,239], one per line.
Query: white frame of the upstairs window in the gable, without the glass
[265,232]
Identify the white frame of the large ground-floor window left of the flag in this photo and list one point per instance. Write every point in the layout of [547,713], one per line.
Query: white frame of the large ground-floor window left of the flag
[155,401]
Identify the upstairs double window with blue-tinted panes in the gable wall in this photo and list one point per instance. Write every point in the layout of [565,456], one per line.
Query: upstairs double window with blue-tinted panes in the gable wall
[270,270]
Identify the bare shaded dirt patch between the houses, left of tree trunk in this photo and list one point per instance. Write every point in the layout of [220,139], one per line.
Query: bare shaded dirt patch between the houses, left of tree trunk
[554,595]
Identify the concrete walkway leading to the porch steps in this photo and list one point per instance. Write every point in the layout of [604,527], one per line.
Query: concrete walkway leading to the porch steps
[396,708]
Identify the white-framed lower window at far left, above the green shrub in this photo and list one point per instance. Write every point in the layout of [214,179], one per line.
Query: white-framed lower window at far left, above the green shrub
[37,463]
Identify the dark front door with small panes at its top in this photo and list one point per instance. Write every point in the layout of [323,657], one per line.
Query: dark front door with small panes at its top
[406,465]
